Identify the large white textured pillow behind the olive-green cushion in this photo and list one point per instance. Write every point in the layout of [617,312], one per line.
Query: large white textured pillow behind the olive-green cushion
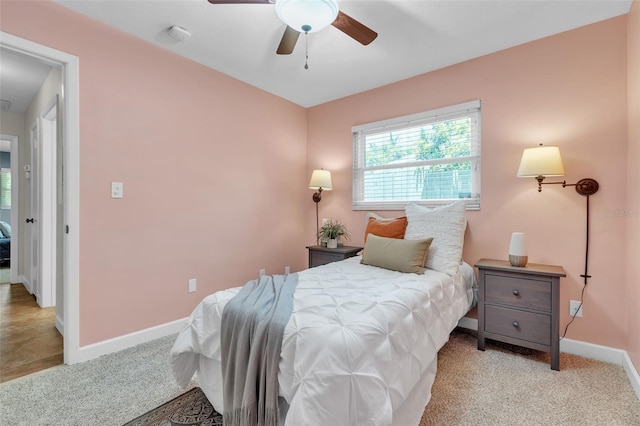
[446,225]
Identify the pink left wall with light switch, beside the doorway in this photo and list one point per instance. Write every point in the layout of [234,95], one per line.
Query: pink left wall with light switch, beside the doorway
[213,188]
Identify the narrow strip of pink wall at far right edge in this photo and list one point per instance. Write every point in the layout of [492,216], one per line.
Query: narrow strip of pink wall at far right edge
[633,192]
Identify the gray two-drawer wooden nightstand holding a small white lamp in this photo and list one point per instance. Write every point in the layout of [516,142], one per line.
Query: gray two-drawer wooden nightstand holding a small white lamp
[520,305]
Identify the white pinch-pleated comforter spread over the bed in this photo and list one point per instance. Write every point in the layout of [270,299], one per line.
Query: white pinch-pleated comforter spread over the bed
[360,347]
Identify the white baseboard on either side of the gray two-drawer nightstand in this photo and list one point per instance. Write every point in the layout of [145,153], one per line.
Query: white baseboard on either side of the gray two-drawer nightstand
[587,350]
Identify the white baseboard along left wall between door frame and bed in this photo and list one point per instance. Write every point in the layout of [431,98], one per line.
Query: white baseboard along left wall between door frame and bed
[89,352]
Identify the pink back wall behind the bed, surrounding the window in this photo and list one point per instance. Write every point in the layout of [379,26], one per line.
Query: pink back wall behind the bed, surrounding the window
[568,90]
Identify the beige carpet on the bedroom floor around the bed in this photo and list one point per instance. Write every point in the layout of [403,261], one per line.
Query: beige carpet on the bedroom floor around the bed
[495,387]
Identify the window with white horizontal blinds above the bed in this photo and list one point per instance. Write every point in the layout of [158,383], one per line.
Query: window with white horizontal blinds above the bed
[431,158]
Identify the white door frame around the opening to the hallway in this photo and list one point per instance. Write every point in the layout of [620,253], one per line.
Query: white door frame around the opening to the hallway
[70,112]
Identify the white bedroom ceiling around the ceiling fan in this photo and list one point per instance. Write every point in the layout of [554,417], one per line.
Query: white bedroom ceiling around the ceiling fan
[414,37]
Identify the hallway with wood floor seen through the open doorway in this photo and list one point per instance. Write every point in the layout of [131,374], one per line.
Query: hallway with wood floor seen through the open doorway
[30,327]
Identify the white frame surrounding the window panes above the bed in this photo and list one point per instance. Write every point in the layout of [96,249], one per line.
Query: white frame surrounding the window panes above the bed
[472,109]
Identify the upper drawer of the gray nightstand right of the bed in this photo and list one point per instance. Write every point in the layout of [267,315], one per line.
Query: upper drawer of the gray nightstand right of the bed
[518,292]
